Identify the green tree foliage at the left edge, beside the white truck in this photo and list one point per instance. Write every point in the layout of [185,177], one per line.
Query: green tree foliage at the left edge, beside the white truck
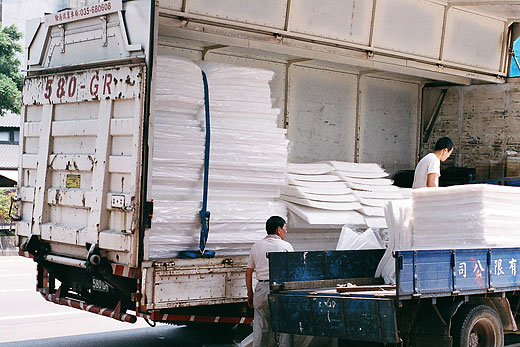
[11,80]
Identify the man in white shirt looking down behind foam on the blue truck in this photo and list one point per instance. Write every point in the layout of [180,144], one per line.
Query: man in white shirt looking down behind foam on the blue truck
[428,169]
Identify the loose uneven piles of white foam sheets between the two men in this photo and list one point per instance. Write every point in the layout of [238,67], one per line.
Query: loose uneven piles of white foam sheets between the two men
[338,199]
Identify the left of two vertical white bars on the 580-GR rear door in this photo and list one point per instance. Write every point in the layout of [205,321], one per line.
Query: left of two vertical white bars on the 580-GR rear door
[39,212]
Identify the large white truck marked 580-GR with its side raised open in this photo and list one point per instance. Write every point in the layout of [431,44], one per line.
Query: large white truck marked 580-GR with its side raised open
[349,80]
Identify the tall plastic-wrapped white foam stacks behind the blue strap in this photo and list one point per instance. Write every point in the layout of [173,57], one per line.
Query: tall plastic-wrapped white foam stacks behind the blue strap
[248,158]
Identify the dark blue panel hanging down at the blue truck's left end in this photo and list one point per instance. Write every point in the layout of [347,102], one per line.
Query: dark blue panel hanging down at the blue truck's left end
[362,319]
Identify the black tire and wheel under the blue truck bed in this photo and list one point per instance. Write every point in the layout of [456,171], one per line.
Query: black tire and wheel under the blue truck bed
[477,326]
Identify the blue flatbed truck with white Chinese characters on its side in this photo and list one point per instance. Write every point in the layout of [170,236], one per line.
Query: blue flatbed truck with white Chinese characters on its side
[463,297]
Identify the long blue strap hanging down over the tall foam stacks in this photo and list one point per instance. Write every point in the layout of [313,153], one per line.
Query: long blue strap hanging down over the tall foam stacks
[204,214]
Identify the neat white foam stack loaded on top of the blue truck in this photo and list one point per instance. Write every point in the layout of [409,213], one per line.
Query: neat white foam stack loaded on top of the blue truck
[467,216]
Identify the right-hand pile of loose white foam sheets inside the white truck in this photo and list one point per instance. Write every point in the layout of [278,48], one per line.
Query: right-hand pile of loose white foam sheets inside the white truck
[369,184]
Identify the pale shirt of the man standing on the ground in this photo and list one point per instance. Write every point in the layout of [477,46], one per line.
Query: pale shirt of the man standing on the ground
[258,256]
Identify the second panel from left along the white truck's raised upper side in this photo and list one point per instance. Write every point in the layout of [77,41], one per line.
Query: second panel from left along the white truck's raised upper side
[347,20]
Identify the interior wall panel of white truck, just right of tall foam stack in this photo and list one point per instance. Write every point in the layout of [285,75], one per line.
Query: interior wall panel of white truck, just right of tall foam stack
[322,109]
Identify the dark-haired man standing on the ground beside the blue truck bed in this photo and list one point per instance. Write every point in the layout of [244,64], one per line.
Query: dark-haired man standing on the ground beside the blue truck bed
[274,242]
